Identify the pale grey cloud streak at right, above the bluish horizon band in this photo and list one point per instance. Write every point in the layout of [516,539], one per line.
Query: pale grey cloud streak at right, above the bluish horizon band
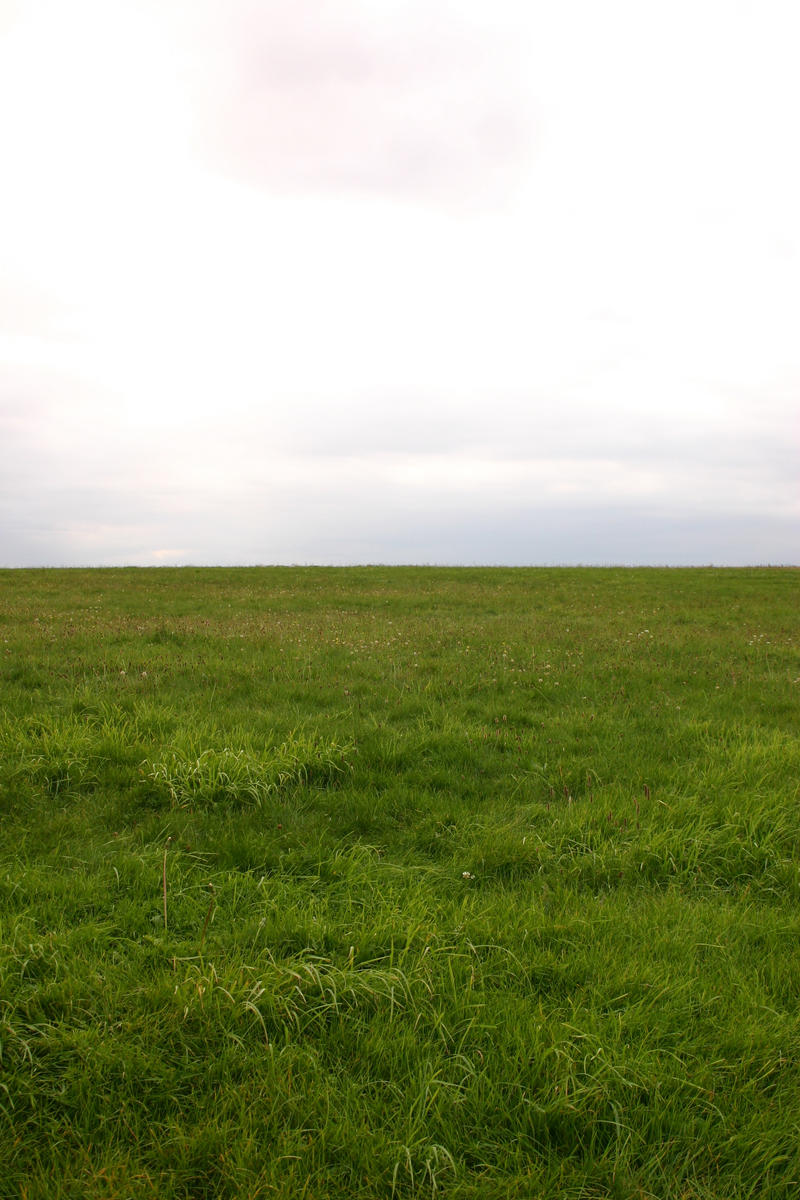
[524,427]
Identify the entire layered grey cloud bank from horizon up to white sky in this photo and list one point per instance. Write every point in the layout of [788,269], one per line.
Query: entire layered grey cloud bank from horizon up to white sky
[69,500]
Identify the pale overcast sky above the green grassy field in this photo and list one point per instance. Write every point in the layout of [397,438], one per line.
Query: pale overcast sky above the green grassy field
[400,281]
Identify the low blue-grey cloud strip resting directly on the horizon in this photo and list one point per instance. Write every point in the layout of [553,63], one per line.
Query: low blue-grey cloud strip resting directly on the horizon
[309,531]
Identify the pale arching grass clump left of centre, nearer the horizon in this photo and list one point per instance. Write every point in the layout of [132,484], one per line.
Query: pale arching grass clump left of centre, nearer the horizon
[245,778]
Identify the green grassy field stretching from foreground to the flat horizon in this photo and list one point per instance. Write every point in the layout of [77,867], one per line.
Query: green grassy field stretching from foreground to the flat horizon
[400,883]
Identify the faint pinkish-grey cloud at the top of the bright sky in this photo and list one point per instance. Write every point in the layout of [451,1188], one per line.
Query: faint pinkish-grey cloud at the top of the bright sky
[413,100]
